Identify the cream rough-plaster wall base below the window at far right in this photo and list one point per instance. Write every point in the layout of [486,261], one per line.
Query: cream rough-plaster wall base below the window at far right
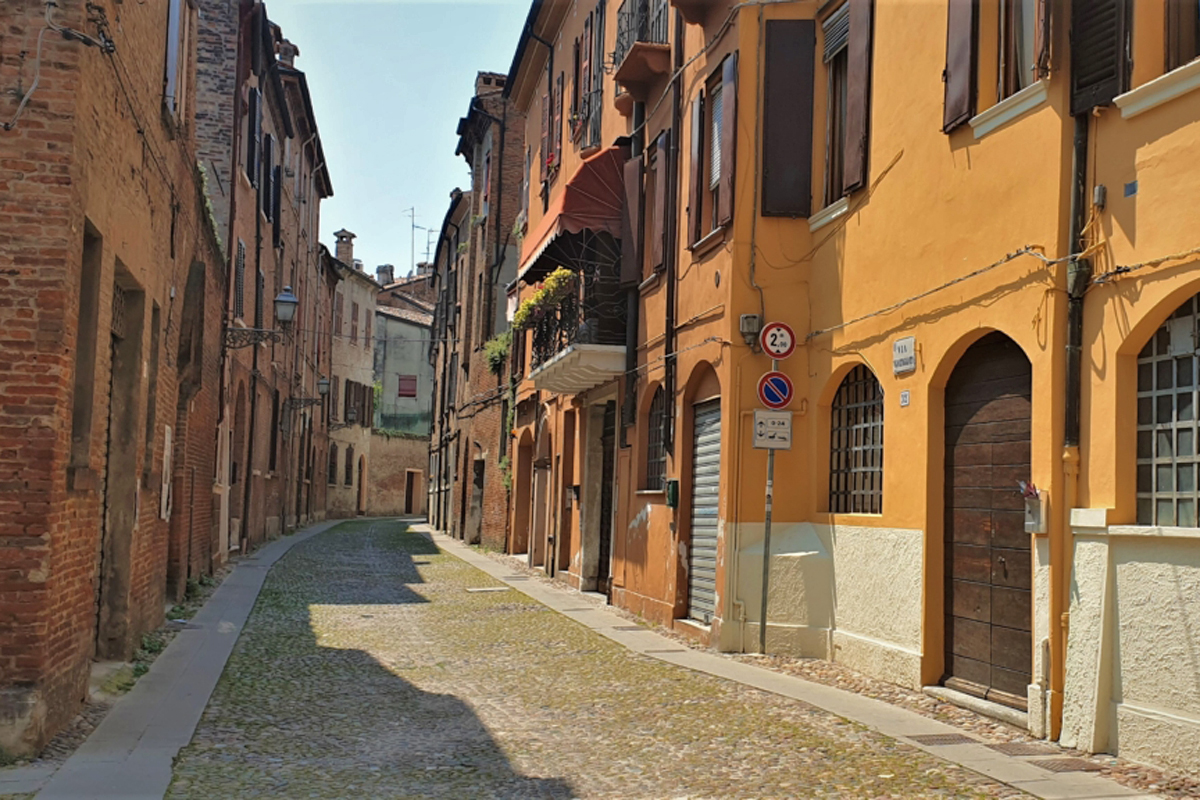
[1133,653]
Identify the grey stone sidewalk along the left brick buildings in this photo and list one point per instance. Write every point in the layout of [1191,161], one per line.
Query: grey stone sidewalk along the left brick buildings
[131,753]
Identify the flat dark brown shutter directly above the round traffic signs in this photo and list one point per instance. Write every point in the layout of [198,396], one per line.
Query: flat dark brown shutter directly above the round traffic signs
[788,118]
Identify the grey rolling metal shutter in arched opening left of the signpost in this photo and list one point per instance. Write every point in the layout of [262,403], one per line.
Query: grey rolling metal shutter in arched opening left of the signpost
[706,479]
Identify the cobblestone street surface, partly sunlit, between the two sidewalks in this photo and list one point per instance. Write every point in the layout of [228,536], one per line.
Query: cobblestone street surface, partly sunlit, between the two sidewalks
[370,670]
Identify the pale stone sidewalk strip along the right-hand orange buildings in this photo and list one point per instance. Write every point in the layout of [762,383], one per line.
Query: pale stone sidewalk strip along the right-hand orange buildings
[935,738]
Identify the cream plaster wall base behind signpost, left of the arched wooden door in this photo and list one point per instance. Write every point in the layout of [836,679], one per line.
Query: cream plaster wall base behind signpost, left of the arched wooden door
[850,594]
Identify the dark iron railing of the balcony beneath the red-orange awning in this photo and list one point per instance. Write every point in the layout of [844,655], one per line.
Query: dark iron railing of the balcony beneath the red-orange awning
[593,315]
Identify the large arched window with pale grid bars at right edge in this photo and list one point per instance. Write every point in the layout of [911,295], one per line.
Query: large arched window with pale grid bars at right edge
[1167,423]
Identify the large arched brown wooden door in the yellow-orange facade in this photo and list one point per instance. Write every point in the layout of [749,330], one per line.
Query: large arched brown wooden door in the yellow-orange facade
[988,556]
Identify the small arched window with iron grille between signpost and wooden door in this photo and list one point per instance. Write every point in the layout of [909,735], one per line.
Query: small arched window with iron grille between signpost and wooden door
[856,446]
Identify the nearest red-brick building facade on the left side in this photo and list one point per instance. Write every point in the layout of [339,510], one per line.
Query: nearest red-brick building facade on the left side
[111,334]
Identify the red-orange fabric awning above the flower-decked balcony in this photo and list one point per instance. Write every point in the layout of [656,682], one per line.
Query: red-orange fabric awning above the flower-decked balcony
[591,202]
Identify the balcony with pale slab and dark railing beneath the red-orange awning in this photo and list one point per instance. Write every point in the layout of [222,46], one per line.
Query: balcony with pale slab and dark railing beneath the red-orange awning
[580,345]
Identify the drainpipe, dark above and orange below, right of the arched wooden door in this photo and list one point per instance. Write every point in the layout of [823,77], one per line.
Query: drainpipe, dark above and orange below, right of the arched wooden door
[1079,275]
